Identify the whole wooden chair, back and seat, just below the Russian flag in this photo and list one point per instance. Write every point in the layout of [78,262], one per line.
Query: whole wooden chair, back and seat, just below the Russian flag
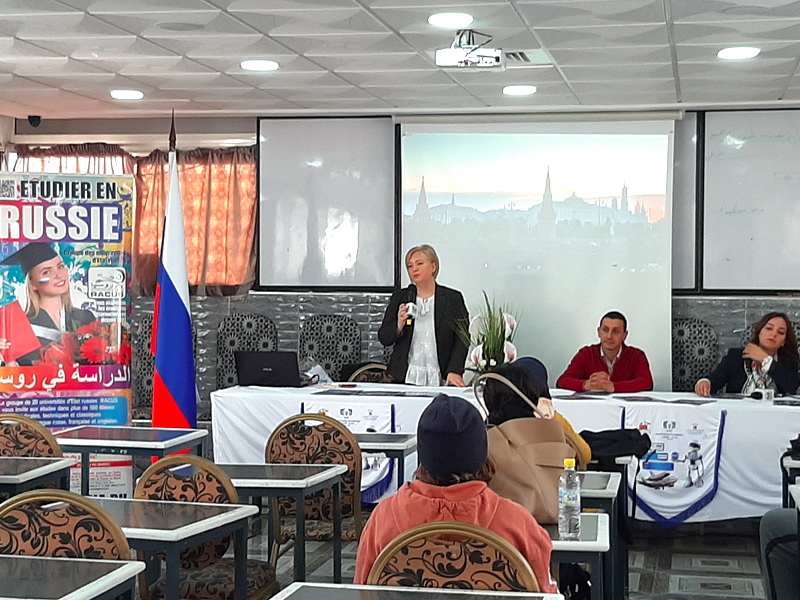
[204,573]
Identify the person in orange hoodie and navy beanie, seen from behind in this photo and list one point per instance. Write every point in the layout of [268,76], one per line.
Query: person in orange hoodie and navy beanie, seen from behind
[451,485]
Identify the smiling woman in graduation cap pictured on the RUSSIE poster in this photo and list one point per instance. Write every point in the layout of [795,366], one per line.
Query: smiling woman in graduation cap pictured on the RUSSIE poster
[49,303]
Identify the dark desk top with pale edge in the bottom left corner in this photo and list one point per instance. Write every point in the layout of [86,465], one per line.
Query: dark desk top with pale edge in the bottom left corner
[43,578]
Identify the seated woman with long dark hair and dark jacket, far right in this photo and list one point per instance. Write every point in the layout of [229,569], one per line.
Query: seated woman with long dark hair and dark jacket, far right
[769,361]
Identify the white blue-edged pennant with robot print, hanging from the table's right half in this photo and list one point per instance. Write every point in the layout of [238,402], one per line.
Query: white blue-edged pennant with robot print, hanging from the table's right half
[679,476]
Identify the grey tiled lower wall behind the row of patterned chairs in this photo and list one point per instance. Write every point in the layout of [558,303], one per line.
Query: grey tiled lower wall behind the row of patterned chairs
[728,315]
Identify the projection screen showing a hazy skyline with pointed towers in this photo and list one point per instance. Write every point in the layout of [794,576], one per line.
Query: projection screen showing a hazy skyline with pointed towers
[562,222]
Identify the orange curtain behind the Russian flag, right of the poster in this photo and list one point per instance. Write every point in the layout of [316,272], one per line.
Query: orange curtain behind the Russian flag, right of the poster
[218,191]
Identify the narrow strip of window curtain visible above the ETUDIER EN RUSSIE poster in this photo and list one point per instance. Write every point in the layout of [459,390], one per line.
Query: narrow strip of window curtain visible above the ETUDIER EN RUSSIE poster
[83,159]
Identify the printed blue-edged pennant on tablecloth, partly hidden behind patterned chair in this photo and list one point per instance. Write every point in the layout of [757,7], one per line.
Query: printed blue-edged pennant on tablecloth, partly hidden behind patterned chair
[376,473]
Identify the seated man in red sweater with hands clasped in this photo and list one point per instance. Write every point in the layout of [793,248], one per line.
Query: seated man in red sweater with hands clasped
[610,366]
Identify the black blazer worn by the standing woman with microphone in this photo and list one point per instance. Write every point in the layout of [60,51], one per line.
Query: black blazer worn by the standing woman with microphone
[449,308]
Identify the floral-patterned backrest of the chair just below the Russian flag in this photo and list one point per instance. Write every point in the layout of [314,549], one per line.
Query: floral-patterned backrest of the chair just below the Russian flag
[190,478]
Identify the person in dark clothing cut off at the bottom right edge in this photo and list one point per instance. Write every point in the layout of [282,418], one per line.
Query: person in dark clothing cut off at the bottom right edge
[778,532]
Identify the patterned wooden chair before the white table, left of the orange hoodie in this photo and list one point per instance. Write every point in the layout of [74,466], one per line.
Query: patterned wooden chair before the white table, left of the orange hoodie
[318,439]
